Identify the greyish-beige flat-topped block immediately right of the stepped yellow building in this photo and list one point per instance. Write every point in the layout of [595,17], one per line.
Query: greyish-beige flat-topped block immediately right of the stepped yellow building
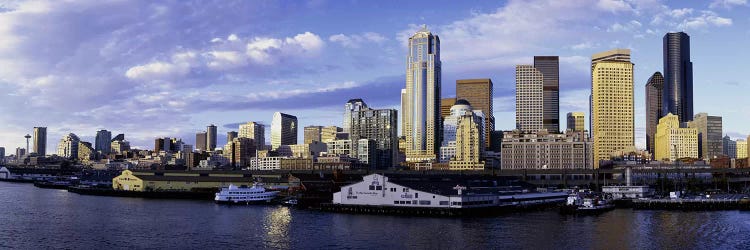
[710,142]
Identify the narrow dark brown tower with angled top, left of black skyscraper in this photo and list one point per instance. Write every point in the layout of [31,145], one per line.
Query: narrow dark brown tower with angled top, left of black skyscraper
[654,88]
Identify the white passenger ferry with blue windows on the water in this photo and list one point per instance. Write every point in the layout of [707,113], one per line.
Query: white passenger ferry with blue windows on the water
[257,194]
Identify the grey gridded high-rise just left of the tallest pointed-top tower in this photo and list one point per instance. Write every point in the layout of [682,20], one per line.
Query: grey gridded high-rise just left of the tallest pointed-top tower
[380,126]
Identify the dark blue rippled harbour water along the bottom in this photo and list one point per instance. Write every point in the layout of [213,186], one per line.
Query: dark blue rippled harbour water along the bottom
[34,218]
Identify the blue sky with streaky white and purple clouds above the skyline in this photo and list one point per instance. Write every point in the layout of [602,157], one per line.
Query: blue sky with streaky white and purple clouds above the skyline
[153,69]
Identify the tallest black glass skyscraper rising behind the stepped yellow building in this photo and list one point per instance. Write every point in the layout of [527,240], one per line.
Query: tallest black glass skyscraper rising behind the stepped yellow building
[677,97]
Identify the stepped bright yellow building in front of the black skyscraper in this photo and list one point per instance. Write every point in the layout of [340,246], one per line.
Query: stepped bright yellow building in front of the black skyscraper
[673,142]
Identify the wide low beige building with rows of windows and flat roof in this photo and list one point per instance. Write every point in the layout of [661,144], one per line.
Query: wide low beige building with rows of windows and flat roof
[543,150]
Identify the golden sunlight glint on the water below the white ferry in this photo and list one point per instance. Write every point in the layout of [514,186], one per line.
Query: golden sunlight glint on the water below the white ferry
[276,225]
